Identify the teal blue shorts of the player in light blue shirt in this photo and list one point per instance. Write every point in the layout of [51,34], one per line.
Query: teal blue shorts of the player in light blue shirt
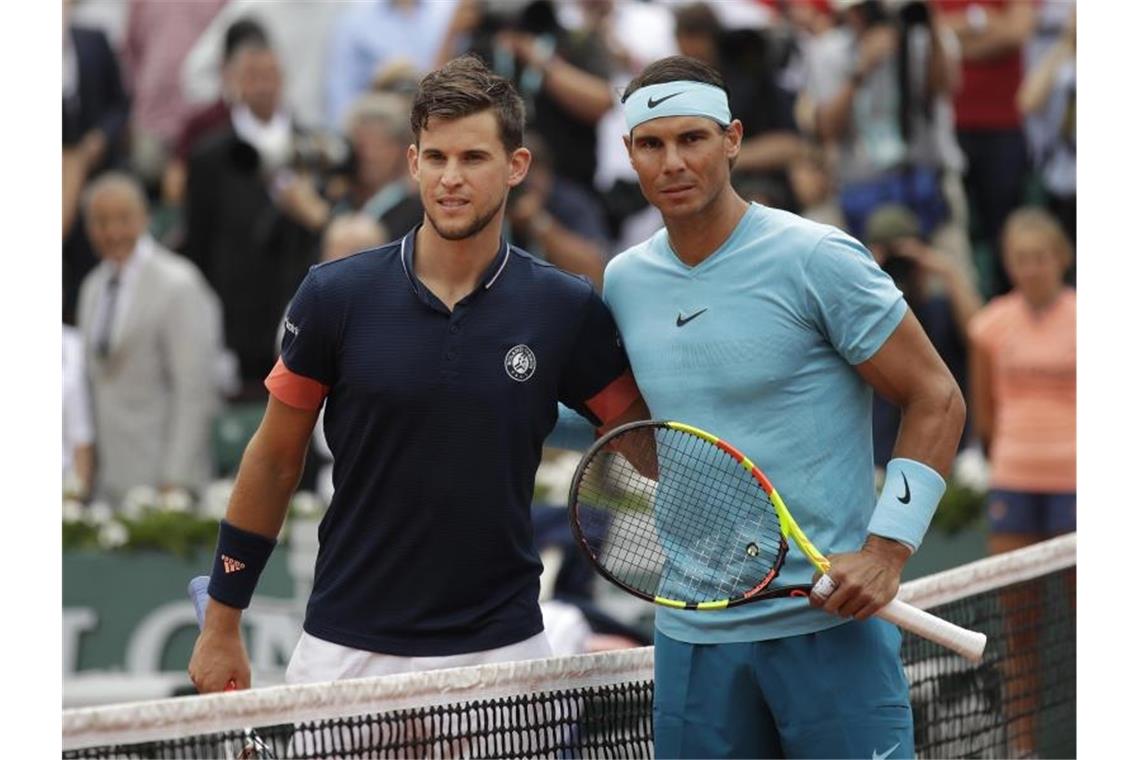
[837,693]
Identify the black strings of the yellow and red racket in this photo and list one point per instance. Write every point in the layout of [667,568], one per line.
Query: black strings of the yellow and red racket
[686,522]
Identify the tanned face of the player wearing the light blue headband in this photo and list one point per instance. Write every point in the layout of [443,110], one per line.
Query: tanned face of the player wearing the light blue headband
[682,162]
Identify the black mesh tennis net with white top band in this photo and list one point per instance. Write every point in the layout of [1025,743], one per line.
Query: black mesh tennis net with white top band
[1021,700]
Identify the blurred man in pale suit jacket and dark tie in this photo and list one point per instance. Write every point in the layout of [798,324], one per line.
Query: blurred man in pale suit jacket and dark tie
[152,333]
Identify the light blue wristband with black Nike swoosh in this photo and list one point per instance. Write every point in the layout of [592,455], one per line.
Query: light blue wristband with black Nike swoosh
[910,495]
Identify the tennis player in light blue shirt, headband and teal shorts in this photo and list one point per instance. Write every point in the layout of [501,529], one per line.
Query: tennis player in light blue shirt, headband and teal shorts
[771,332]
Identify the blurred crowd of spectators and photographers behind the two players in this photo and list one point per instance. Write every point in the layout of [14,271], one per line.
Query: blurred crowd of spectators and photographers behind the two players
[215,150]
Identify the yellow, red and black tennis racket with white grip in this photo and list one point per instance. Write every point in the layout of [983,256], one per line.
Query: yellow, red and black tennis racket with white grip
[677,517]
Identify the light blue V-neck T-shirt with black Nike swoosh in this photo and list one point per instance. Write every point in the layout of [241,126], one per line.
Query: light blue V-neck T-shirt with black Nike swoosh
[758,346]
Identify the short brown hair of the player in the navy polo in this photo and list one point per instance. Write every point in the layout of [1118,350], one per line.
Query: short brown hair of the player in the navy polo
[465,87]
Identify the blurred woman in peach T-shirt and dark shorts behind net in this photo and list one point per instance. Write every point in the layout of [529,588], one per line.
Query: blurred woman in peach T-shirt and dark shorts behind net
[1023,394]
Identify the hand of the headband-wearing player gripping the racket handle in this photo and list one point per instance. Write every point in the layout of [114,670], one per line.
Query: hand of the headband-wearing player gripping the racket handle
[865,581]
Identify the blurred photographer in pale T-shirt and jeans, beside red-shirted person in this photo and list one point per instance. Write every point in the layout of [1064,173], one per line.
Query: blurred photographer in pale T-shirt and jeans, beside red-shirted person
[882,87]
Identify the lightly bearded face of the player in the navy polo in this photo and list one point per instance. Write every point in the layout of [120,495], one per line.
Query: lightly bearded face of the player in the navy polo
[465,173]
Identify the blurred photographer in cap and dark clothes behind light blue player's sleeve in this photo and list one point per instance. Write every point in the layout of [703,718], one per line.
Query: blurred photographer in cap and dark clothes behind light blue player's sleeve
[941,295]
